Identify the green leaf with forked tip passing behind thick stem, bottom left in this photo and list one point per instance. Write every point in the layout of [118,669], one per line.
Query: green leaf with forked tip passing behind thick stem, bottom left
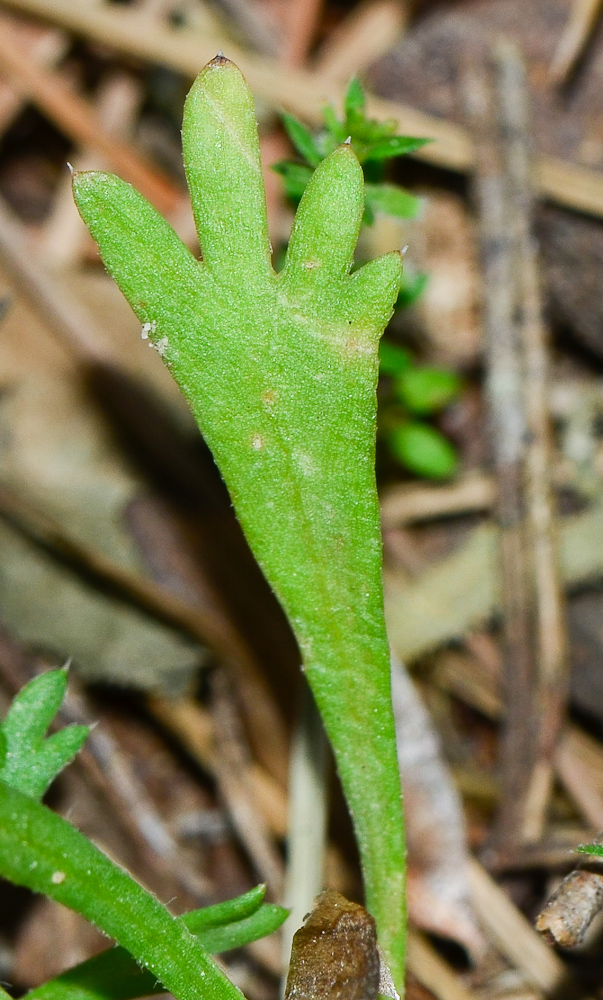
[114,975]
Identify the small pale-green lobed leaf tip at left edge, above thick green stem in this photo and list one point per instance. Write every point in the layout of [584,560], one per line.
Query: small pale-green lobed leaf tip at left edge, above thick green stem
[30,761]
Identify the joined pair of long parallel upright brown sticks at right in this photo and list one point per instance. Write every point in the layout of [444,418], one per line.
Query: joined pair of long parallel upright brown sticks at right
[517,360]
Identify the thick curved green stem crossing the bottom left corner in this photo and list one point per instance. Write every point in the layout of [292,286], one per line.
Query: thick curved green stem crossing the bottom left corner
[41,851]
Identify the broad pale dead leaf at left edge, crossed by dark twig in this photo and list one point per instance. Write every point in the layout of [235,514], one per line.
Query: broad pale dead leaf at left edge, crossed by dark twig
[56,451]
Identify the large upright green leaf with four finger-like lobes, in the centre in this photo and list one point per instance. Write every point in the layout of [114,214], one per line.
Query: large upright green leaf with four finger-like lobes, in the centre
[280,371]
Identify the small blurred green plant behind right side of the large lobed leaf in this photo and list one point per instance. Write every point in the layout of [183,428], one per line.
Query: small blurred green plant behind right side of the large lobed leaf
[415,392]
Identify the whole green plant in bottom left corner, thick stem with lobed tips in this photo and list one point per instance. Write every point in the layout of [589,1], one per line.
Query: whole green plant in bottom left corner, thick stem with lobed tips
[43,852]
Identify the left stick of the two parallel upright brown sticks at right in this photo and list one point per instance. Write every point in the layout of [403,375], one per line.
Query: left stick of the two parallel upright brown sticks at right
[507,425]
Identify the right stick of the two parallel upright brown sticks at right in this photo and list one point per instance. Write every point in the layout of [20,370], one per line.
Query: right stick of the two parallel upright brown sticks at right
[549,632]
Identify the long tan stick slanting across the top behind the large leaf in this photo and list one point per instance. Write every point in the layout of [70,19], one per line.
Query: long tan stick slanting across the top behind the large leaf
[301,92]
